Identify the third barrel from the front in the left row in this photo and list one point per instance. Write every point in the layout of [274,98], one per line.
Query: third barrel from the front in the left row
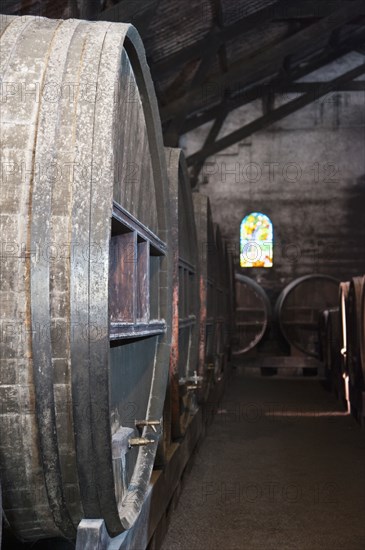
[208,270]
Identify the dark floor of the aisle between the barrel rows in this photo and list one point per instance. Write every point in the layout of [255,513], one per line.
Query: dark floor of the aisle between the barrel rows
[281,468]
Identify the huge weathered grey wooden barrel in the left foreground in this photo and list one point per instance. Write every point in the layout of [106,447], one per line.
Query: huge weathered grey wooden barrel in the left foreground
[86,286]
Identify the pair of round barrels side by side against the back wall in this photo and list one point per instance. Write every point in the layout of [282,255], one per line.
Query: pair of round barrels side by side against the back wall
[295,317]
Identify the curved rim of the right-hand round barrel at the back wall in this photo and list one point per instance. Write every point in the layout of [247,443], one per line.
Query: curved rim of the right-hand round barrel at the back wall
[280,303]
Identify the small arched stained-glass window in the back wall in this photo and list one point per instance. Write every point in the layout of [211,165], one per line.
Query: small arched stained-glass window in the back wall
[256,241]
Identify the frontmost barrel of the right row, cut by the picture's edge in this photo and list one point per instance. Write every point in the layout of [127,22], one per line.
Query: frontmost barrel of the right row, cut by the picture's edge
[354,336]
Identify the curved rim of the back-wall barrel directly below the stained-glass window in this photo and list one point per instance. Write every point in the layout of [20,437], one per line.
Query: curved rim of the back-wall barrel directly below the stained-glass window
[266,307]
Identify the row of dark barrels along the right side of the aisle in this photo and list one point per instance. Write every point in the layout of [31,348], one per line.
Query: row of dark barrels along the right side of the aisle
[342,334]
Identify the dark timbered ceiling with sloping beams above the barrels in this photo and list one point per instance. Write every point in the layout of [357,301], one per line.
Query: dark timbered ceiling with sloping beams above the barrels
[209,57]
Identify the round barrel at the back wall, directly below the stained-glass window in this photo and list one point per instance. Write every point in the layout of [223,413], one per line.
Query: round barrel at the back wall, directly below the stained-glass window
[252,315]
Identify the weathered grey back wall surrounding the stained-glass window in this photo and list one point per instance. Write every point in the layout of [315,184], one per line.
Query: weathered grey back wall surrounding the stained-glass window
[307,173]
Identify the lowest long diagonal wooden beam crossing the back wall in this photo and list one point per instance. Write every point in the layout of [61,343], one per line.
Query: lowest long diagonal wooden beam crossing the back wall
[274,116]
